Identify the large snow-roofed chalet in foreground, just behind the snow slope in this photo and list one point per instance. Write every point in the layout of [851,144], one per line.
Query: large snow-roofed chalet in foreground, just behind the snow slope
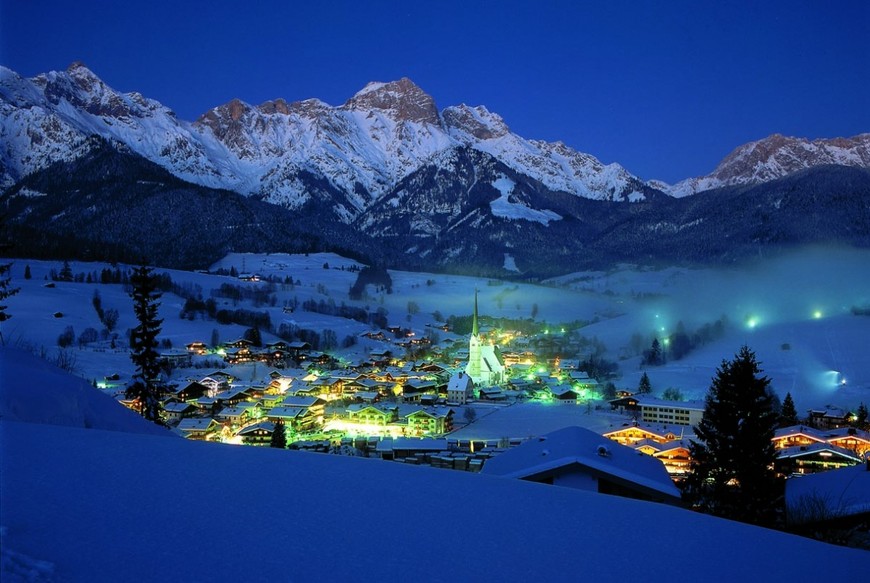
[575,457]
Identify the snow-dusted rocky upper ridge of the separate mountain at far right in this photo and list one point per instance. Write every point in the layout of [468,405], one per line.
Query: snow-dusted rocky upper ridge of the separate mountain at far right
[774,157]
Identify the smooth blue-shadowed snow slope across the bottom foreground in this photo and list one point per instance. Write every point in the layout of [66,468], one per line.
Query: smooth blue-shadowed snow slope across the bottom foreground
[88,505]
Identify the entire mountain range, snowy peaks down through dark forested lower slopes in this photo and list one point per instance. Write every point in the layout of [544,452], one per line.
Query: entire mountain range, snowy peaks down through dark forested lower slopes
[388,175]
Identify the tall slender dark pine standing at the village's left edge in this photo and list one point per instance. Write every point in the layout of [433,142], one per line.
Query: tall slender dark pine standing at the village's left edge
[143,343]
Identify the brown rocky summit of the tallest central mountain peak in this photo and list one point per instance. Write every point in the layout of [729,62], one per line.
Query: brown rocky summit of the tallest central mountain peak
[402,100]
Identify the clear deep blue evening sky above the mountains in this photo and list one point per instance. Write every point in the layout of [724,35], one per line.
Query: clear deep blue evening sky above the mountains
[666,89]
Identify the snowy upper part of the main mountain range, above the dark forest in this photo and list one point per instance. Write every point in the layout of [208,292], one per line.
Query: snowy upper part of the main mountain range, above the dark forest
[281,150]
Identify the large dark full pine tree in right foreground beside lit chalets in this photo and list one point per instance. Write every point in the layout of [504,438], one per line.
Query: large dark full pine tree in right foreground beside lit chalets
[732,462]
